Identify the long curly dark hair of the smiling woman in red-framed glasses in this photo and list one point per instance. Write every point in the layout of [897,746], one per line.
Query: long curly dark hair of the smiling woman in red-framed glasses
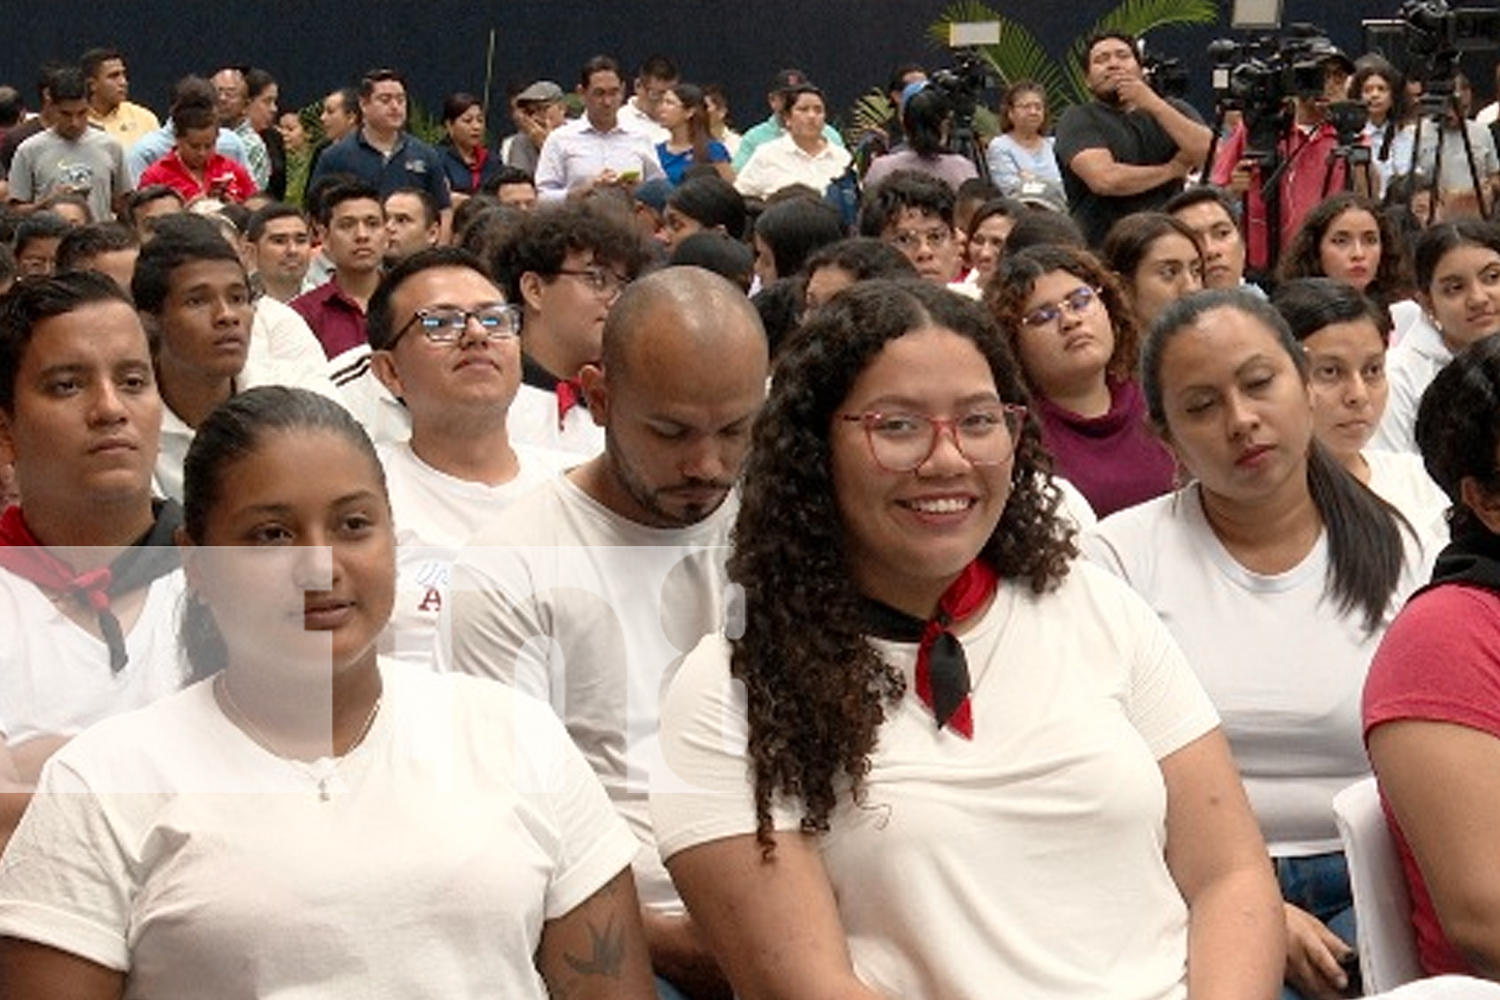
[817,689]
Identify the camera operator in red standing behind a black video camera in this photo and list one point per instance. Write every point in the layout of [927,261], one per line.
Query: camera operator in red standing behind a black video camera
[1306,160]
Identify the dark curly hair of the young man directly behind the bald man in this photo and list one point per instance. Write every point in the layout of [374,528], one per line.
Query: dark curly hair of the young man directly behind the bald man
[547,236]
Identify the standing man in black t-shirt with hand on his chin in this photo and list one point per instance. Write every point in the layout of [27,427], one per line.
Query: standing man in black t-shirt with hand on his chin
[1130,149]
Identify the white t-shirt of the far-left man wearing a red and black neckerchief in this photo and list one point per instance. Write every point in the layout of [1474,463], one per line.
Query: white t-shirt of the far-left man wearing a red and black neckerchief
[55,675]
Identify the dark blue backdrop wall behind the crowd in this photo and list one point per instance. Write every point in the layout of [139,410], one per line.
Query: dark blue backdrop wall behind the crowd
[314,46]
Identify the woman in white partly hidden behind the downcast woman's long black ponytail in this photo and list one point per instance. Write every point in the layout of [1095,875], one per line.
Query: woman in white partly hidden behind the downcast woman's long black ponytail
[1345,335]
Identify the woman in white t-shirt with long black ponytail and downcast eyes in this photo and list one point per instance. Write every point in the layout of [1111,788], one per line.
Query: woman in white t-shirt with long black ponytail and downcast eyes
[1277,573]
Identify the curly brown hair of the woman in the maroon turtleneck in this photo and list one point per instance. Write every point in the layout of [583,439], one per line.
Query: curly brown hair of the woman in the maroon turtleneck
[1018,275]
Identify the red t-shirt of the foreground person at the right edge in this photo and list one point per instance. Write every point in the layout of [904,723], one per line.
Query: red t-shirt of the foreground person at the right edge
[1439,662]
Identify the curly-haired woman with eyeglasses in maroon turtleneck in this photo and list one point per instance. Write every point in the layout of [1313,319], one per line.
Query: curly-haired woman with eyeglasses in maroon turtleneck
[1076,340]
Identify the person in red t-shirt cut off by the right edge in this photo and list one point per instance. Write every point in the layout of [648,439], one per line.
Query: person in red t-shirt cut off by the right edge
[1432,708]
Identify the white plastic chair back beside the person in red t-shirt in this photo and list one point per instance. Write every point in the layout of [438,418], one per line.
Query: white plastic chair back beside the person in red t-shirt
[1387,941]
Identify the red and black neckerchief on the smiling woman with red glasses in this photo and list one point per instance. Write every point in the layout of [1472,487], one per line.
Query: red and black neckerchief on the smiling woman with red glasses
[943,671]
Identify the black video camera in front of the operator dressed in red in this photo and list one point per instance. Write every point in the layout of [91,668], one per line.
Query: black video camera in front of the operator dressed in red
[1259,76]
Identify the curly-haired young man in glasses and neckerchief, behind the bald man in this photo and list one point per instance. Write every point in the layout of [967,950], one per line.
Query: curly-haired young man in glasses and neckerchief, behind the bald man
[565,266]
